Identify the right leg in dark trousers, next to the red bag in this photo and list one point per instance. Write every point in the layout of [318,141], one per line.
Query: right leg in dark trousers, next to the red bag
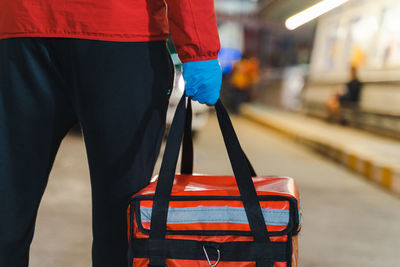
[121,92]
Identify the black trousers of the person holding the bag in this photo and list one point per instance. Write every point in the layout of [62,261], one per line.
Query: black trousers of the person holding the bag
[118,91]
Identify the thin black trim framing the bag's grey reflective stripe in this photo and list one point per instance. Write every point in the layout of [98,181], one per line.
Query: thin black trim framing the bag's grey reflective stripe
[291,227]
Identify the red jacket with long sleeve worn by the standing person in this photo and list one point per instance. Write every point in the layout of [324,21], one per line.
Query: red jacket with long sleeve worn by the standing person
[192,23]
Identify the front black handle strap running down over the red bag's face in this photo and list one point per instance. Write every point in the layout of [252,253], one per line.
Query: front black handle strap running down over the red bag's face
[158,226]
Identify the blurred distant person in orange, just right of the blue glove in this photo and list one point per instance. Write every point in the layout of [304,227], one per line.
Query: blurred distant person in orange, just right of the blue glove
[244,77]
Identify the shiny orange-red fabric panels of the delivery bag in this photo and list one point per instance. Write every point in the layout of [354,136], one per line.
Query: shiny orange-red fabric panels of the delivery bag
[206,185]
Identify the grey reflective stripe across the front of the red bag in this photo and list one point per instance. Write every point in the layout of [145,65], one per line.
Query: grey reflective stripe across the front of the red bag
[217,215]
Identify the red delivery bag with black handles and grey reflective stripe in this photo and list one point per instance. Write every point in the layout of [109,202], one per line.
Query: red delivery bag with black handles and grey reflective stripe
[186,220]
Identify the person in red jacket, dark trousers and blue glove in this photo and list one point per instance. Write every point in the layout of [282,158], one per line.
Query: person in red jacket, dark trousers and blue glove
[105,65]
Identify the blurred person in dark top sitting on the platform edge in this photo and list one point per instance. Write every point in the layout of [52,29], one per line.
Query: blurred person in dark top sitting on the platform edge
[349,99]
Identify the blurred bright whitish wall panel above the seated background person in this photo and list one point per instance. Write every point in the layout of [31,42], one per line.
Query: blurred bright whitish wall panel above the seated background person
[363,33]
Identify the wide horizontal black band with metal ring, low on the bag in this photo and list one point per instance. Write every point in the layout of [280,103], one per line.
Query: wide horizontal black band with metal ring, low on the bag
[230,251]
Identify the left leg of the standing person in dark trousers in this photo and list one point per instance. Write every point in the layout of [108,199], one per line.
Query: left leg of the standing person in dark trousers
[34,117]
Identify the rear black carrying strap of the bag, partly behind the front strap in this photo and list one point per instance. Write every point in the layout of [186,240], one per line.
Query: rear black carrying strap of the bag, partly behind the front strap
[187,145]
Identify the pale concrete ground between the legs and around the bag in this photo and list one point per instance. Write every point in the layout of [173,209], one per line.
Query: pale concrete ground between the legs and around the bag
[347,221]
